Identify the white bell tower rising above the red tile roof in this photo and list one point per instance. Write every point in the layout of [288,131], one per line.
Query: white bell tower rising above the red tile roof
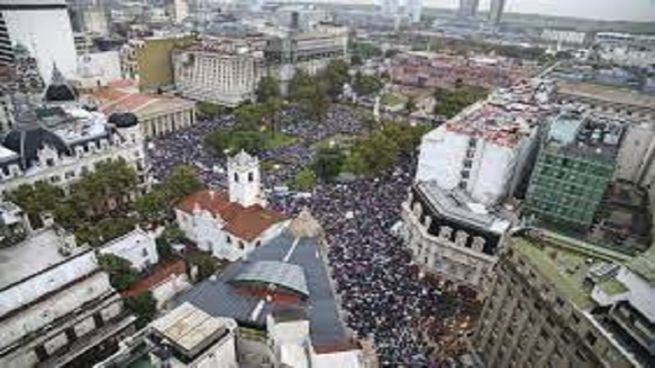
[244,179]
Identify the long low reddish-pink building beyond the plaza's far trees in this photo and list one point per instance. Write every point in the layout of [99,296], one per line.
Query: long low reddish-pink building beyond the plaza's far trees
[436,70]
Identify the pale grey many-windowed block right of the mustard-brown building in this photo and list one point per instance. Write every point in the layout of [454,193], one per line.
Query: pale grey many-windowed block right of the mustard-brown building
[223,71]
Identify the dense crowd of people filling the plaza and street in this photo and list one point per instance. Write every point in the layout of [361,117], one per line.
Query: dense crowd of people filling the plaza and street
[382,294]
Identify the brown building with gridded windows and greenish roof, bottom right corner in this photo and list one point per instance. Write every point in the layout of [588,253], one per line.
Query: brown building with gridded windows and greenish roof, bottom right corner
[560,302]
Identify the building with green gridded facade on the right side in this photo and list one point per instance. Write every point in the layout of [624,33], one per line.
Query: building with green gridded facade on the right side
[574,167]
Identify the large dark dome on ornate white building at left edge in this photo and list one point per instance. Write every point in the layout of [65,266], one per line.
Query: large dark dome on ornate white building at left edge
[27,143]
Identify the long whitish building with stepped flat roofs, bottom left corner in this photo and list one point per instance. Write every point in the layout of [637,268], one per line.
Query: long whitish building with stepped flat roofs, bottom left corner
[56,306]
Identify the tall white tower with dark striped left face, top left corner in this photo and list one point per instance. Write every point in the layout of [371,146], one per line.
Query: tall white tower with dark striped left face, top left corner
[44,28]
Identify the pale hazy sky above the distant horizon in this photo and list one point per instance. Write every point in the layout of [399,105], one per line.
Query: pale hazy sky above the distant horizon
[642,11]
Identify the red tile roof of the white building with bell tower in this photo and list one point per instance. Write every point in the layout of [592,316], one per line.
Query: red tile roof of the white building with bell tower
[246,223]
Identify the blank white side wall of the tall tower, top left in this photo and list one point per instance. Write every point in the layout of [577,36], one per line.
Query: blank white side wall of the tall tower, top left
[48,36]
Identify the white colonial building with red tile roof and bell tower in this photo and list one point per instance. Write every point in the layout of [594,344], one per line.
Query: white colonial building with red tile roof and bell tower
[232,224]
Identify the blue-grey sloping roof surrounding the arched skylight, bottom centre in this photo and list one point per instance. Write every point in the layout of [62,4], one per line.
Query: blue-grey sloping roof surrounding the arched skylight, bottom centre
[219,297]
